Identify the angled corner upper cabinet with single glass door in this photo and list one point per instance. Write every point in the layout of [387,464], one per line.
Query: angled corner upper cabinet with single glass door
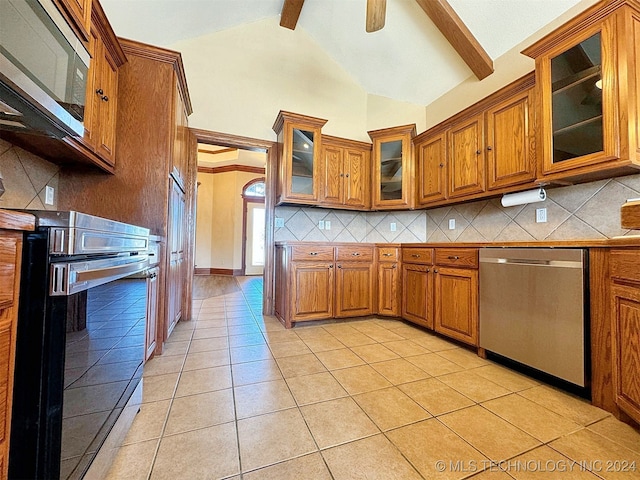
[392,168]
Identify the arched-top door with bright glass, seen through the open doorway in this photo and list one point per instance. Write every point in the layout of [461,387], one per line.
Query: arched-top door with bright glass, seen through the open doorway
[253,229]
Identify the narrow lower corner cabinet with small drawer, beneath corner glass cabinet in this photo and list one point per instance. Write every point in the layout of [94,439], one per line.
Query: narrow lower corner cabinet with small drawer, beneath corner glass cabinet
[389,281]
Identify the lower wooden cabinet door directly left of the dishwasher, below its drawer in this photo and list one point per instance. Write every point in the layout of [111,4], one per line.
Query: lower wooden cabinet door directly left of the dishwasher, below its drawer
[456,303]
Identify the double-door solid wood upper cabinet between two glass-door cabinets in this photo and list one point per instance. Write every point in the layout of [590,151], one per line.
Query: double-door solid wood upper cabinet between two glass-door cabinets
[345,173]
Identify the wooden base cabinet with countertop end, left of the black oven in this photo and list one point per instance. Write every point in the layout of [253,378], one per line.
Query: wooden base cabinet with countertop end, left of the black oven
[10,263]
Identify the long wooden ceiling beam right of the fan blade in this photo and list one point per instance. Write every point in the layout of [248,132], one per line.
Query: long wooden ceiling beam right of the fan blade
[459,36]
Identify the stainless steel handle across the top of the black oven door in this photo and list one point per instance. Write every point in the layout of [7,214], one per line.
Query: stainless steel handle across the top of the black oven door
[74,277]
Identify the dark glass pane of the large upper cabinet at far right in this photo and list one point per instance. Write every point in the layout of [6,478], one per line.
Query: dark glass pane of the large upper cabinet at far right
[576,100]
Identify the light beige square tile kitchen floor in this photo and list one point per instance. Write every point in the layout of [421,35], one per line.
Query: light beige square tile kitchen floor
[235,395]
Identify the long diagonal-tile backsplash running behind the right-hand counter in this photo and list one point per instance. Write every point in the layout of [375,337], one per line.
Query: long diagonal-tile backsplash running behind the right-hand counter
[585,211]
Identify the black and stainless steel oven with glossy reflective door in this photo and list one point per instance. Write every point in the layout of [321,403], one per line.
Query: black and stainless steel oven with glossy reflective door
[80,341]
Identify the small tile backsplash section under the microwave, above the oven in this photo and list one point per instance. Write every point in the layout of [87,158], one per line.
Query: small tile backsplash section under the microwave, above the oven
[25,177]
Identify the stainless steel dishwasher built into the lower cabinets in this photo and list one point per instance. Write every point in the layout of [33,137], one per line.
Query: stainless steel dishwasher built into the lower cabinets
[532,308]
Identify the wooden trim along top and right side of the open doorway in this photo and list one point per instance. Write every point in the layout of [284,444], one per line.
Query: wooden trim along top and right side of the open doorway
[271,175]
